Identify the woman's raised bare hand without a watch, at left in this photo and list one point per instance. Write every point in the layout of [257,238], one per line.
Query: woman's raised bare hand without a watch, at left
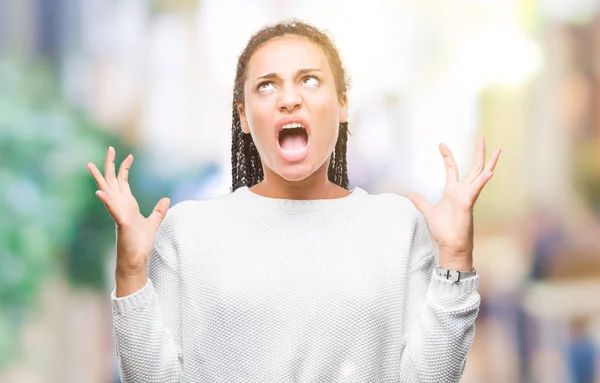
[135,233]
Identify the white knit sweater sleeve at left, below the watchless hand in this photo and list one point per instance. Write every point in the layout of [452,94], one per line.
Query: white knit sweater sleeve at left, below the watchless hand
[147,326]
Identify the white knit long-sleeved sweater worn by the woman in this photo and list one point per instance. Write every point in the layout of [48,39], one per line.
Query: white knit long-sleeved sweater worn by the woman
[245,288]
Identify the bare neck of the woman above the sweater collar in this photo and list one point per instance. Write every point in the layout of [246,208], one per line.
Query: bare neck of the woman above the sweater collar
[316,186]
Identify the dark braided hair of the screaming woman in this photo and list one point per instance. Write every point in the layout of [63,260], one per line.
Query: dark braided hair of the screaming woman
[246,166]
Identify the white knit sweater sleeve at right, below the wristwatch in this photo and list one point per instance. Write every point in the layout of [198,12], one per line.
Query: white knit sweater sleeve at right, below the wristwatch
[439,317]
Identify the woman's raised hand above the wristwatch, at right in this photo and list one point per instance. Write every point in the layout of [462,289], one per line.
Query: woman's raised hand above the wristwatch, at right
[450,222]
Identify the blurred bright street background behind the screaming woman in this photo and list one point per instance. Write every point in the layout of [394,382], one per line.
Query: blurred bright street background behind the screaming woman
[155,78]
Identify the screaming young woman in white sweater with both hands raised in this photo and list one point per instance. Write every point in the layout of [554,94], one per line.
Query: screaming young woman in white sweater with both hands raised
[292,277]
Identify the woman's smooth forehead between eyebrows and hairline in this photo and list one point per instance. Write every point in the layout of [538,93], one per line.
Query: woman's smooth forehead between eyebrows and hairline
[285,55]
